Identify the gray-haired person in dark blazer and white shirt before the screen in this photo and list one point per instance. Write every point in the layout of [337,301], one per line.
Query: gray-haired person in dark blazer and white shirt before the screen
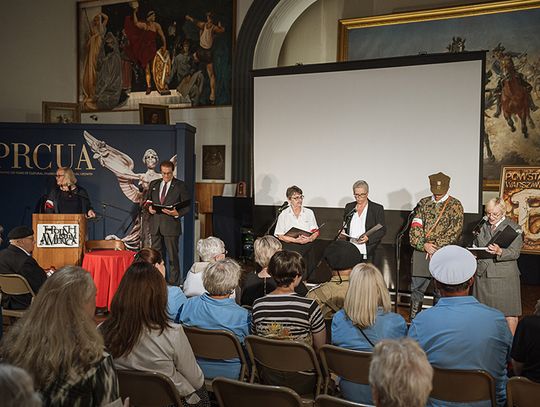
[360,216]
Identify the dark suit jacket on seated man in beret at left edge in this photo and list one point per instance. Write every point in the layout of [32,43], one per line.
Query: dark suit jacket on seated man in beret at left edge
[15,261]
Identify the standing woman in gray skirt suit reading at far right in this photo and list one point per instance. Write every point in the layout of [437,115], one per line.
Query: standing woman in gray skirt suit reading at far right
[496,281]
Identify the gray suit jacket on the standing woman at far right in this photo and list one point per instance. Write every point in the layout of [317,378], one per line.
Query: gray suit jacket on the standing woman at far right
[505,264]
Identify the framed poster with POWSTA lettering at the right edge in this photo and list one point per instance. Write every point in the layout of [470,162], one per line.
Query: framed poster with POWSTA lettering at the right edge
[520,190]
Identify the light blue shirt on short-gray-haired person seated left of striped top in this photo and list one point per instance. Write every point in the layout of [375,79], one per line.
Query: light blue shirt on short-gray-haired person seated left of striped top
[209,313]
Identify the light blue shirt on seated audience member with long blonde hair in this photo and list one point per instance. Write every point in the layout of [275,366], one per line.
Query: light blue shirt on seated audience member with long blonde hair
[346,335]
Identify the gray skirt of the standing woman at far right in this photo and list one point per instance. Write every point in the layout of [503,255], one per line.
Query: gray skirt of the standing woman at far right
[502,293]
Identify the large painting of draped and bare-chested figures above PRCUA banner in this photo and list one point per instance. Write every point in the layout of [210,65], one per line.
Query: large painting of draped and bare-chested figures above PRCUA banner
[162,52]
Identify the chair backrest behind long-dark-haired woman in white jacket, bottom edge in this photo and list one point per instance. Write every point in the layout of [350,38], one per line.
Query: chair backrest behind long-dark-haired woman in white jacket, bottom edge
[147,389]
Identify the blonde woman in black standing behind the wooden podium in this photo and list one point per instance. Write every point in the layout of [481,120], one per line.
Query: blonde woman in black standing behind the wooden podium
[68,196]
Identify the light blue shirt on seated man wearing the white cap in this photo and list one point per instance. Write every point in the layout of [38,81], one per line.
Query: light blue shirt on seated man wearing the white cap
[461,333]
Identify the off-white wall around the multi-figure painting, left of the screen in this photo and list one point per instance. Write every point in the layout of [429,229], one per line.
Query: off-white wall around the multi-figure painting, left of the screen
[39,62]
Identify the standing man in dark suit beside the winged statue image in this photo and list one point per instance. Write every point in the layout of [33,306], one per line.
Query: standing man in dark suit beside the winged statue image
[165,225]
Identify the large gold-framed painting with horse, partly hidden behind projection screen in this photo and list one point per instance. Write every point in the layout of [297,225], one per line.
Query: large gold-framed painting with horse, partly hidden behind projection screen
[508,30]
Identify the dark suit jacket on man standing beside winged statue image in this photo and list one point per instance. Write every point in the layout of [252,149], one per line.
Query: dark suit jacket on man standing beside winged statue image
[161,223]
